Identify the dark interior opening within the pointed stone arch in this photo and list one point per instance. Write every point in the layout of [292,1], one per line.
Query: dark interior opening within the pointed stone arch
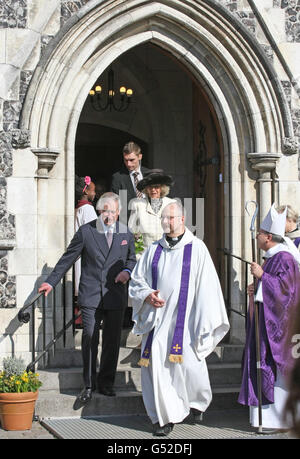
[171,119]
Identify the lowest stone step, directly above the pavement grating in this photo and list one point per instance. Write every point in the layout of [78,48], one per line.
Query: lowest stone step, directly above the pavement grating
[63,404]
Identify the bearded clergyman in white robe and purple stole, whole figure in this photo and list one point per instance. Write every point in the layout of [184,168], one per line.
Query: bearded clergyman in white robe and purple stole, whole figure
[179,309]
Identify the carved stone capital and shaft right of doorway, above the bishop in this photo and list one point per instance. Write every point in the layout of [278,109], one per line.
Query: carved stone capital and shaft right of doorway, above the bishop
[265,163]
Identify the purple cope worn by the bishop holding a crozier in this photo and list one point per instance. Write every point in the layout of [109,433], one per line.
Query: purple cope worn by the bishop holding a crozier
[281,295]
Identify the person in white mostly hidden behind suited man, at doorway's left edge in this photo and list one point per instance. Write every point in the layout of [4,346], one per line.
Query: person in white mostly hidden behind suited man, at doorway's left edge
[84,213]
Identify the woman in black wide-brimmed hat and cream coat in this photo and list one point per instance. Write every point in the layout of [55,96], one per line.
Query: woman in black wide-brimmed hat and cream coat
[145,217]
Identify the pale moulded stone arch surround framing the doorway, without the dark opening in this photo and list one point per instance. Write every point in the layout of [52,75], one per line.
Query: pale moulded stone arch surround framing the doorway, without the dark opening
[222,56]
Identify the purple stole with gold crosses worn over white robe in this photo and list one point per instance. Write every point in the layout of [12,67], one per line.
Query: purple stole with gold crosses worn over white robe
[177,342]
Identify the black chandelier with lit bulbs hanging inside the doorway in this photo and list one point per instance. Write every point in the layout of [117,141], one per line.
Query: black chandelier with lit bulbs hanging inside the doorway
[110,100]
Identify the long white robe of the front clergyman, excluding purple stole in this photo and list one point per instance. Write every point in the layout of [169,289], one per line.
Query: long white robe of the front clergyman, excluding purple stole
[171,389]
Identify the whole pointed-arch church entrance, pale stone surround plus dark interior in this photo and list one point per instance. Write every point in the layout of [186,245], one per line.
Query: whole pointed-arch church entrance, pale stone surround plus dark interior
[208,110]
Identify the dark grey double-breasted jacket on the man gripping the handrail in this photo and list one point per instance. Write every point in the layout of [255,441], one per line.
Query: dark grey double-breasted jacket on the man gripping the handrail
[99,265]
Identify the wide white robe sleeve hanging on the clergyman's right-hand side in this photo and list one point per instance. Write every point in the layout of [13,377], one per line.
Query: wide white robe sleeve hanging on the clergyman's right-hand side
[211,322]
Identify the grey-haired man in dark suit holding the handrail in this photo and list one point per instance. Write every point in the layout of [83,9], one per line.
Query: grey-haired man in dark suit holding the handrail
[107,252]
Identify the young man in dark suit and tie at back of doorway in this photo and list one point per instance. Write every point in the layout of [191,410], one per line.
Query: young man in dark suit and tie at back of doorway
[130,174]
